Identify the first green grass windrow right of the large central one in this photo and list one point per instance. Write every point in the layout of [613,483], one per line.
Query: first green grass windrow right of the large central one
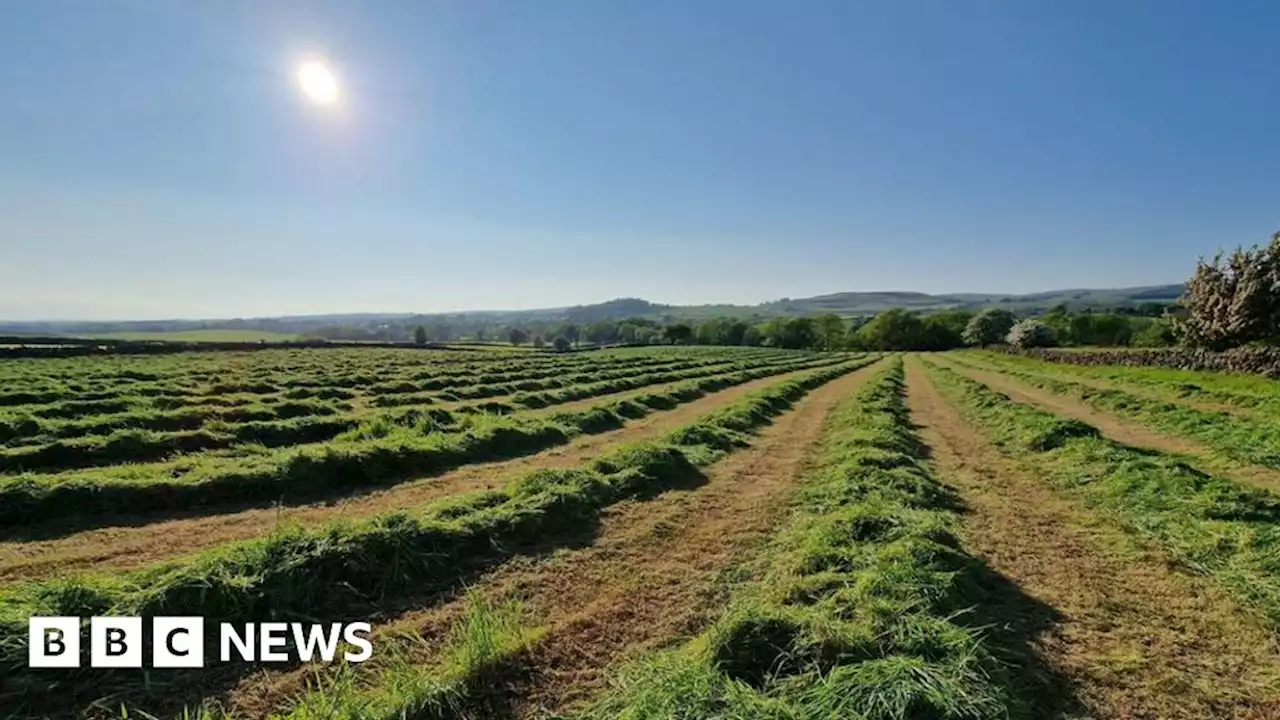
[1209,525]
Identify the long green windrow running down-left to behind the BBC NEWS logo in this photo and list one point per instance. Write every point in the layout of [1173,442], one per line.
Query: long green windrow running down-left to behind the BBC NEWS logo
[358,568]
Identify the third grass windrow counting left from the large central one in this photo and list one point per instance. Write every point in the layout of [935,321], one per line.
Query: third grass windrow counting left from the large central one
[136,445]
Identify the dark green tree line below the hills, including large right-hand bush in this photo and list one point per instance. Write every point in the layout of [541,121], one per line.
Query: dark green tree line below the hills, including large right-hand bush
[1232,300]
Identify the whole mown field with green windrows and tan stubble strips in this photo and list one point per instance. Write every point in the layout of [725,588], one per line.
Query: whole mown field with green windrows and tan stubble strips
[648,534]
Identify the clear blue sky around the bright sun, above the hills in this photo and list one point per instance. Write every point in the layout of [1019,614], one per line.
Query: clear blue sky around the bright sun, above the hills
[159,161]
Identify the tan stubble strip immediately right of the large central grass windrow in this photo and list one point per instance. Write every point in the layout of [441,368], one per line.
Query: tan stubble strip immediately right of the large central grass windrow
[1133,637]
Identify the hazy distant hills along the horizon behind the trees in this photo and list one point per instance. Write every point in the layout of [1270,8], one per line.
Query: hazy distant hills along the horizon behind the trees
[848,304]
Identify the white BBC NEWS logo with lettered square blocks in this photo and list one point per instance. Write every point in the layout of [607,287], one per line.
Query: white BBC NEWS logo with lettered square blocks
[180,642]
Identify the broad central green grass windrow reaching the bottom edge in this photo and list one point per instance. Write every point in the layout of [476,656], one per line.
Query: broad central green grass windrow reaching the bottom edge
[865,608]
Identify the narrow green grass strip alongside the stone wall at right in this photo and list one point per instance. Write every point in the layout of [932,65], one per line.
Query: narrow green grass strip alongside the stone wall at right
[1250,393]
